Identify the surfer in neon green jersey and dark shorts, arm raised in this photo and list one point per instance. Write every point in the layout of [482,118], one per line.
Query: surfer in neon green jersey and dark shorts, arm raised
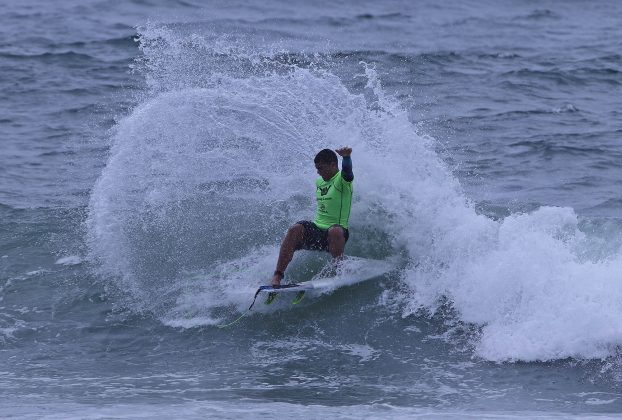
[329,230]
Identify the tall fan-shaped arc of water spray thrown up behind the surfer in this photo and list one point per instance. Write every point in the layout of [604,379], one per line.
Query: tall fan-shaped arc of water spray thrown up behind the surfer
[208,173]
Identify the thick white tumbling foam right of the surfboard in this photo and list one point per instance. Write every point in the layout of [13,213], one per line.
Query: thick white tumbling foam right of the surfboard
[529,287]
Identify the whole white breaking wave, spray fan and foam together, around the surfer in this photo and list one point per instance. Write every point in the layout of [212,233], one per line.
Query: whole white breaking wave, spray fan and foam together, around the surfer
[206,174]
